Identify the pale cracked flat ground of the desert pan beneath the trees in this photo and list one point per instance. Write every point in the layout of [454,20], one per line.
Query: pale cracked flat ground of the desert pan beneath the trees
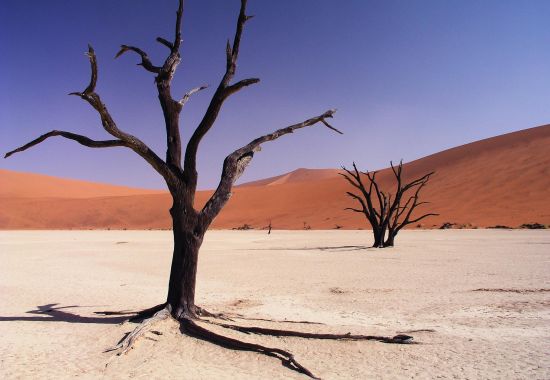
[426,283]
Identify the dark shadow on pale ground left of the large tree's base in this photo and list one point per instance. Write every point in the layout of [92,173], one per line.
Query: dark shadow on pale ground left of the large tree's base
[51,313]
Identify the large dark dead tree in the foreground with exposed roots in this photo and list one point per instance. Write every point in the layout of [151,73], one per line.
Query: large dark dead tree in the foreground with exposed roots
[189,224]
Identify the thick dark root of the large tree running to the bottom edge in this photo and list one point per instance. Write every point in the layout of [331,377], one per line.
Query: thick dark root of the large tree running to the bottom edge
[190,328]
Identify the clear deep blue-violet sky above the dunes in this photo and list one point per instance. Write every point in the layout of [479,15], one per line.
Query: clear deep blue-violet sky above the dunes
[409,78]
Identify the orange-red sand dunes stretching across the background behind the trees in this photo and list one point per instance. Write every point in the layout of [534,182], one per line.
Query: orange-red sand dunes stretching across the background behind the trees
[502,180]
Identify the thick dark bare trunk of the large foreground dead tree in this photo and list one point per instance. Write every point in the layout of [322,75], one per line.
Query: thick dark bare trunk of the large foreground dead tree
[188,237]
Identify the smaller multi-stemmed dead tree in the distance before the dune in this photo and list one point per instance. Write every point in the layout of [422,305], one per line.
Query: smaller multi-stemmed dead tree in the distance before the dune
[387,213]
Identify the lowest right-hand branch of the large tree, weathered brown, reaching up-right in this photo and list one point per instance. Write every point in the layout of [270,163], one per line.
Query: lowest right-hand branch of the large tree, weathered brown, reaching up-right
[235,164]
